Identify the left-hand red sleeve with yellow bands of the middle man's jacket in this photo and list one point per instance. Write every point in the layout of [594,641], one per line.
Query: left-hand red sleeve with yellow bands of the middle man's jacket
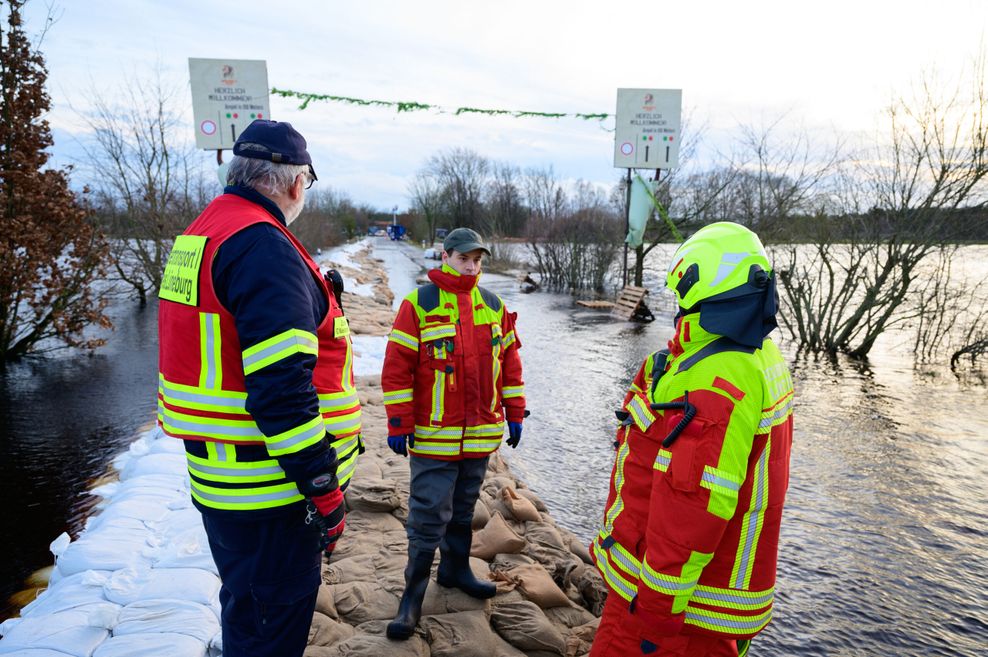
[398,375]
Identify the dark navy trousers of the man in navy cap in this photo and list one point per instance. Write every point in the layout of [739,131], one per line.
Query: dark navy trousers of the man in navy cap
[270,573]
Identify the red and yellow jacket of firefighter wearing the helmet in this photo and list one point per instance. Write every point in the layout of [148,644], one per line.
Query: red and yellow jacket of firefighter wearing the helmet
[691,531]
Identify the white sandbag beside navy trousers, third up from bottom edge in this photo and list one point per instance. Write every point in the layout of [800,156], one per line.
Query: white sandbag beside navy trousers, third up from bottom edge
[191,584]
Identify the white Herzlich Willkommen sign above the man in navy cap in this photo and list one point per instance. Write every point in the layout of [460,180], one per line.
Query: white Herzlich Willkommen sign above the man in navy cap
[227,94]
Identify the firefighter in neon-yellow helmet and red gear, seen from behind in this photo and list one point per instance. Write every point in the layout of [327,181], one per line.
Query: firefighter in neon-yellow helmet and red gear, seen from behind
[690,536]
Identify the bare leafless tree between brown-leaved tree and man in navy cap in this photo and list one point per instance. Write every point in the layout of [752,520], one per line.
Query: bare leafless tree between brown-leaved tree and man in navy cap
[148,186]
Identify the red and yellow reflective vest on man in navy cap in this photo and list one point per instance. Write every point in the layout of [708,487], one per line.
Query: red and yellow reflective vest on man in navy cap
[202,393]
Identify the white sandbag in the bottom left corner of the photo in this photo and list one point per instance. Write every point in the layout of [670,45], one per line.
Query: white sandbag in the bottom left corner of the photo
[68,632]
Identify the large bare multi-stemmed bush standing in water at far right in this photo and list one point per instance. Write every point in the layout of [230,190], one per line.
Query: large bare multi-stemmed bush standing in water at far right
[859,277]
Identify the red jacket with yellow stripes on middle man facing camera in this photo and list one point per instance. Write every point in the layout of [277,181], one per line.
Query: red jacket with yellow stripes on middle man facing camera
[452,373]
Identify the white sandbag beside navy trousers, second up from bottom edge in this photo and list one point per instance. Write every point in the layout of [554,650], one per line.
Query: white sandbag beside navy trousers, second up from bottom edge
[168,615]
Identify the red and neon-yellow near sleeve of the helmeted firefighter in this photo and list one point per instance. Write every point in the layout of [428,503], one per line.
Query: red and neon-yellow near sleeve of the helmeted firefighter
[694,495]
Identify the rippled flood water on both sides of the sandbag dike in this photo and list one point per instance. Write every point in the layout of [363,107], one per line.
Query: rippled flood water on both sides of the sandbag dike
[884,548]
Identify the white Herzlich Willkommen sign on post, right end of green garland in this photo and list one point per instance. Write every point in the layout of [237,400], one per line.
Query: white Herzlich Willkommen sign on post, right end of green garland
[646,134]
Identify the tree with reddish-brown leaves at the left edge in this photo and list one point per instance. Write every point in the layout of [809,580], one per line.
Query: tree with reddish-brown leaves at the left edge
[50,257]
